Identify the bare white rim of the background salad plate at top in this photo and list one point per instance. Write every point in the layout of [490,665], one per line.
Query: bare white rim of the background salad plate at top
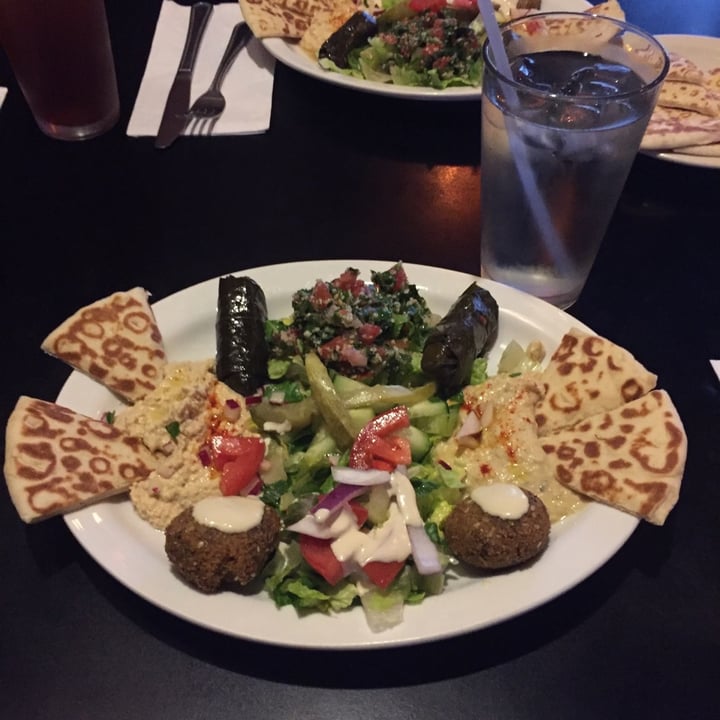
[289,53]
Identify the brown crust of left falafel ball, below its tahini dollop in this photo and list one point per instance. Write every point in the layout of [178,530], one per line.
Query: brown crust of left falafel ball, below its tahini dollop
[211,560]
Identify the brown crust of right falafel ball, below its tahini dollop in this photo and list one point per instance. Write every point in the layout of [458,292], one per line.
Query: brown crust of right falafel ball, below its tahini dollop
[490,542]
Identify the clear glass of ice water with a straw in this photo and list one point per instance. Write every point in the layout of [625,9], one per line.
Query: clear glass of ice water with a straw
[558,140]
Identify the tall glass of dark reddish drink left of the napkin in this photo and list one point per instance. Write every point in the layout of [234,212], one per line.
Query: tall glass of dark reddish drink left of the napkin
[62,59]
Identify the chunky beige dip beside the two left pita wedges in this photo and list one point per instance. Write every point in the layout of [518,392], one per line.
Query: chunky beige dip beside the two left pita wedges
[174,422]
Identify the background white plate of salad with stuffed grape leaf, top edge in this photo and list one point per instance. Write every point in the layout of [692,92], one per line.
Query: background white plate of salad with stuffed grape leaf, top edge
[419,49]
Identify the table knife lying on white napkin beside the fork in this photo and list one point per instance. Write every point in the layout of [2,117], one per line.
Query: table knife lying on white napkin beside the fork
[178,101]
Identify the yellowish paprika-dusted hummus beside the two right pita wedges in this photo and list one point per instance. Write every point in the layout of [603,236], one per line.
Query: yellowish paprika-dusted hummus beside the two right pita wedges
[506,448]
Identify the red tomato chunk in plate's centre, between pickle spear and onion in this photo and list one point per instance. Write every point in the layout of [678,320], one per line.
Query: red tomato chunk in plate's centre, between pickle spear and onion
[373,448]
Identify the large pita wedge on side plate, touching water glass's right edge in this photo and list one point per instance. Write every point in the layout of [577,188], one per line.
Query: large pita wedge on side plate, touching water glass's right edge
[673,128]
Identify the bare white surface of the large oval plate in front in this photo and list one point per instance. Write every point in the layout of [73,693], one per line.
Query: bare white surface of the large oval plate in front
[133,552]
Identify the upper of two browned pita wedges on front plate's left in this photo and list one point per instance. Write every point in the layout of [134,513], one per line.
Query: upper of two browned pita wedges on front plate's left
[116,341]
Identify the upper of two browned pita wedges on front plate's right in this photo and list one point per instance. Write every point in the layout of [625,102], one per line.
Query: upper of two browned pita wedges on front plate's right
[588,374]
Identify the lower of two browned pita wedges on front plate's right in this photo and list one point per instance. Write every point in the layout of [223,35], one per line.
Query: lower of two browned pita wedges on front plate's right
[631,458]
